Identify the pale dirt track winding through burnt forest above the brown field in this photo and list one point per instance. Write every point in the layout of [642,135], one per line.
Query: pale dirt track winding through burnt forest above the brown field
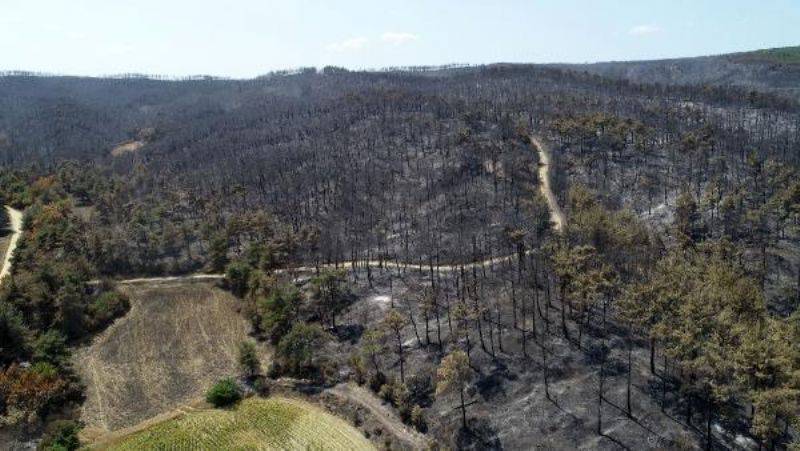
[556,216]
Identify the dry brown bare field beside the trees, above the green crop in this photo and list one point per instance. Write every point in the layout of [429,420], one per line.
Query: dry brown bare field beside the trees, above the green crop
[177,340]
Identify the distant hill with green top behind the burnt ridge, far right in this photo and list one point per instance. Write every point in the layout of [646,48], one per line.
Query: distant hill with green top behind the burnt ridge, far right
[776,70]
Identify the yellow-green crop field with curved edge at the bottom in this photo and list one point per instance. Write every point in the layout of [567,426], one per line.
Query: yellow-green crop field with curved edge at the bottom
[255,424]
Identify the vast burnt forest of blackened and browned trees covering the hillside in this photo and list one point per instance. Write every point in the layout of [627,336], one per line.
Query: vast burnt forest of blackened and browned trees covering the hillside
[679,253]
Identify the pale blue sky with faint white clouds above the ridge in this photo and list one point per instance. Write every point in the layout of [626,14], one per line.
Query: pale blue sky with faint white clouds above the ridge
[244,38]
